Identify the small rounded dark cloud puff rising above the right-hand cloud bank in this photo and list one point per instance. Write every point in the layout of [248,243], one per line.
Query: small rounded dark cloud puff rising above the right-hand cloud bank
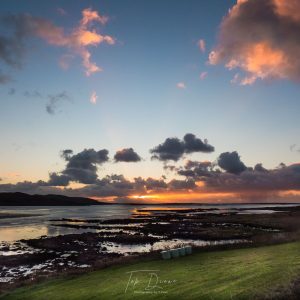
[231,163]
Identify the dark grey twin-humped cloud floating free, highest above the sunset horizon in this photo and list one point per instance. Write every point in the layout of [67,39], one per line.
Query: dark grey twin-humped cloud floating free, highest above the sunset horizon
[174,148]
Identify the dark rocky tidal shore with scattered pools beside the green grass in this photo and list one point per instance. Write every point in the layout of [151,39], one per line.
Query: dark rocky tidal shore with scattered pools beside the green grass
[49,257]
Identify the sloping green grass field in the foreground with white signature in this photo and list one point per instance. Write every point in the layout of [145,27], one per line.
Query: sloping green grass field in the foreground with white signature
[227,274]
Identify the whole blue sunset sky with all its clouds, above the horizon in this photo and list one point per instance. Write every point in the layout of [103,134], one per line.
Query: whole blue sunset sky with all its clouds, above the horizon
[175,101]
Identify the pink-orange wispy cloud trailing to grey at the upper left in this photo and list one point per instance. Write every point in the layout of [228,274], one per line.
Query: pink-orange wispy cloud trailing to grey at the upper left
[78,41]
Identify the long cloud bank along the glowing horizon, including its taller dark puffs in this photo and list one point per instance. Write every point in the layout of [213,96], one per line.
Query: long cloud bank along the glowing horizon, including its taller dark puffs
[203,179]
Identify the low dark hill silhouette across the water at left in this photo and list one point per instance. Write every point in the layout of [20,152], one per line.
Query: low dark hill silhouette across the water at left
[22,199]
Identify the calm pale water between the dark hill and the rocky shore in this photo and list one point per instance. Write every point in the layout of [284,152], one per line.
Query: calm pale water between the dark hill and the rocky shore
[12,229]
